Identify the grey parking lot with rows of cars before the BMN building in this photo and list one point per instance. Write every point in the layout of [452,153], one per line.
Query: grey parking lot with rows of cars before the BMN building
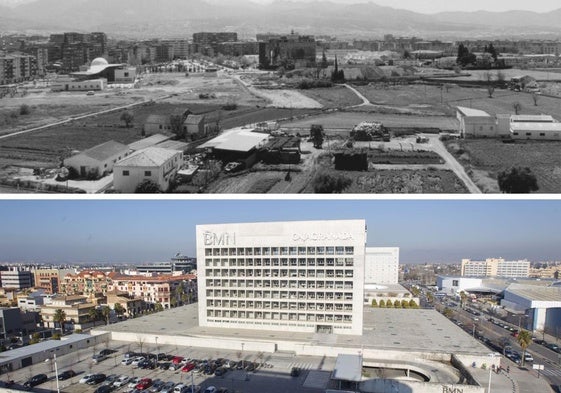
[272,371]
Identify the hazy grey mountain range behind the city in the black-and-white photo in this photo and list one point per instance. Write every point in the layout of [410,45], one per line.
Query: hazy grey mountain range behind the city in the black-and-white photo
[180,18]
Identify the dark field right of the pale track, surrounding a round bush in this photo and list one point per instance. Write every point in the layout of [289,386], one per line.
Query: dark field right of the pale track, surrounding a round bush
[486,158]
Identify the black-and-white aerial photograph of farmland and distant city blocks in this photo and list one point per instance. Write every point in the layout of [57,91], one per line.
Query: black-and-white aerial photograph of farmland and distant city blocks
[280,97]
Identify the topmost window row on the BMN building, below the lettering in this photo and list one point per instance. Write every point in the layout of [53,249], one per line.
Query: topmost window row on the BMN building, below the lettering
[331,250]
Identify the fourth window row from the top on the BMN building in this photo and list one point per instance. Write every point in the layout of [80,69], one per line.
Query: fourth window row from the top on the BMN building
[279,284]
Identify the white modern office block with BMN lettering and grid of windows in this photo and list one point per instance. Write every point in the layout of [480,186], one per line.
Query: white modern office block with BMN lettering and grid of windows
[305,276]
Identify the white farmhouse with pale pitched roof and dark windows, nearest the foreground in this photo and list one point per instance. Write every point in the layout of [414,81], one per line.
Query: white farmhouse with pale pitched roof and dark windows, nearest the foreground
[154,163]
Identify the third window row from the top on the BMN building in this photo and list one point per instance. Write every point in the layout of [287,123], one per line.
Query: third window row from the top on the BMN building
[320,273]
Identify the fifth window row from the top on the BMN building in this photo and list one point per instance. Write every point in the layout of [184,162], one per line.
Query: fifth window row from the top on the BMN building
[271,295]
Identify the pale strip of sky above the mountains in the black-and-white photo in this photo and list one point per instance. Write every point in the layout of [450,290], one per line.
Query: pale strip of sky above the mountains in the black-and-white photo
[432,6]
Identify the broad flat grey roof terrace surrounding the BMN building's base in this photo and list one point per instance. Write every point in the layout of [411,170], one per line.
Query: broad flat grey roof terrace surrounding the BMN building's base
[388,329]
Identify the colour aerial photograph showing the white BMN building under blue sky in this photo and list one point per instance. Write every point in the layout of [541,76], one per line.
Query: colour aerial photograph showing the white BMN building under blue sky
[319,296]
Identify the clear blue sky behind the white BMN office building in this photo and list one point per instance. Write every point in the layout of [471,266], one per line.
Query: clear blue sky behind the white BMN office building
[116,231]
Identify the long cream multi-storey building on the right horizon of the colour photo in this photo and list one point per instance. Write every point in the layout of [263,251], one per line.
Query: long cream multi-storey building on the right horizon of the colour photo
[495,267]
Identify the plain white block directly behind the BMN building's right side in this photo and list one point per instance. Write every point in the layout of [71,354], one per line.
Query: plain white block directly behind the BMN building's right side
[381,265]
